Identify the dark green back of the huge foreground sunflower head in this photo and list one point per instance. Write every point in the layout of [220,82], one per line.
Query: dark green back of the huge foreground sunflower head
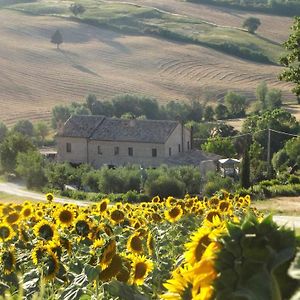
[253,261]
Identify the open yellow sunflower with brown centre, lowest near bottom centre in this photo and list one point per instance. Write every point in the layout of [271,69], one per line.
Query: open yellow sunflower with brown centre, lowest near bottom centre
[140,268]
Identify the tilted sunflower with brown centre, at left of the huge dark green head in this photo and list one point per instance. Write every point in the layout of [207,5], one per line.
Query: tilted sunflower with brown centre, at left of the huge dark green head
[196,247]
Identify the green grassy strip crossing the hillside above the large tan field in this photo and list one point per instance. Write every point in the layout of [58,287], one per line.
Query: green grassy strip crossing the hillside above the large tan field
[139,19]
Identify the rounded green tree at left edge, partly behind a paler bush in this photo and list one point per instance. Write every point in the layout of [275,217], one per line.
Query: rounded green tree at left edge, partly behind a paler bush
[13,144]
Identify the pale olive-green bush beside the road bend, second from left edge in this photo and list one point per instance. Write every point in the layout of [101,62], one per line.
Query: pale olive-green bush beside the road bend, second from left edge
[29,165]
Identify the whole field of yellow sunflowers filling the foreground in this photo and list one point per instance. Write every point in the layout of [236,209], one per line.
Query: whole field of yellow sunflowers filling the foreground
[191,248]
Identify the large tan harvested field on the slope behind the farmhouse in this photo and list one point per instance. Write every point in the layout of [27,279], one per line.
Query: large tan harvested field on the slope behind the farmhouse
[34,76]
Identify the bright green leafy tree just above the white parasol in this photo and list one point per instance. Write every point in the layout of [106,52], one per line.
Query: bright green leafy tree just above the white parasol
[219,145]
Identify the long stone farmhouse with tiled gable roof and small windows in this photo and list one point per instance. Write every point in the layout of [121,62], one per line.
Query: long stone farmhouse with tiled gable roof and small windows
[98,140]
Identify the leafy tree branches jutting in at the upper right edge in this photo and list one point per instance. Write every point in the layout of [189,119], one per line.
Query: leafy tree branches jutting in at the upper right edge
[292,59]
